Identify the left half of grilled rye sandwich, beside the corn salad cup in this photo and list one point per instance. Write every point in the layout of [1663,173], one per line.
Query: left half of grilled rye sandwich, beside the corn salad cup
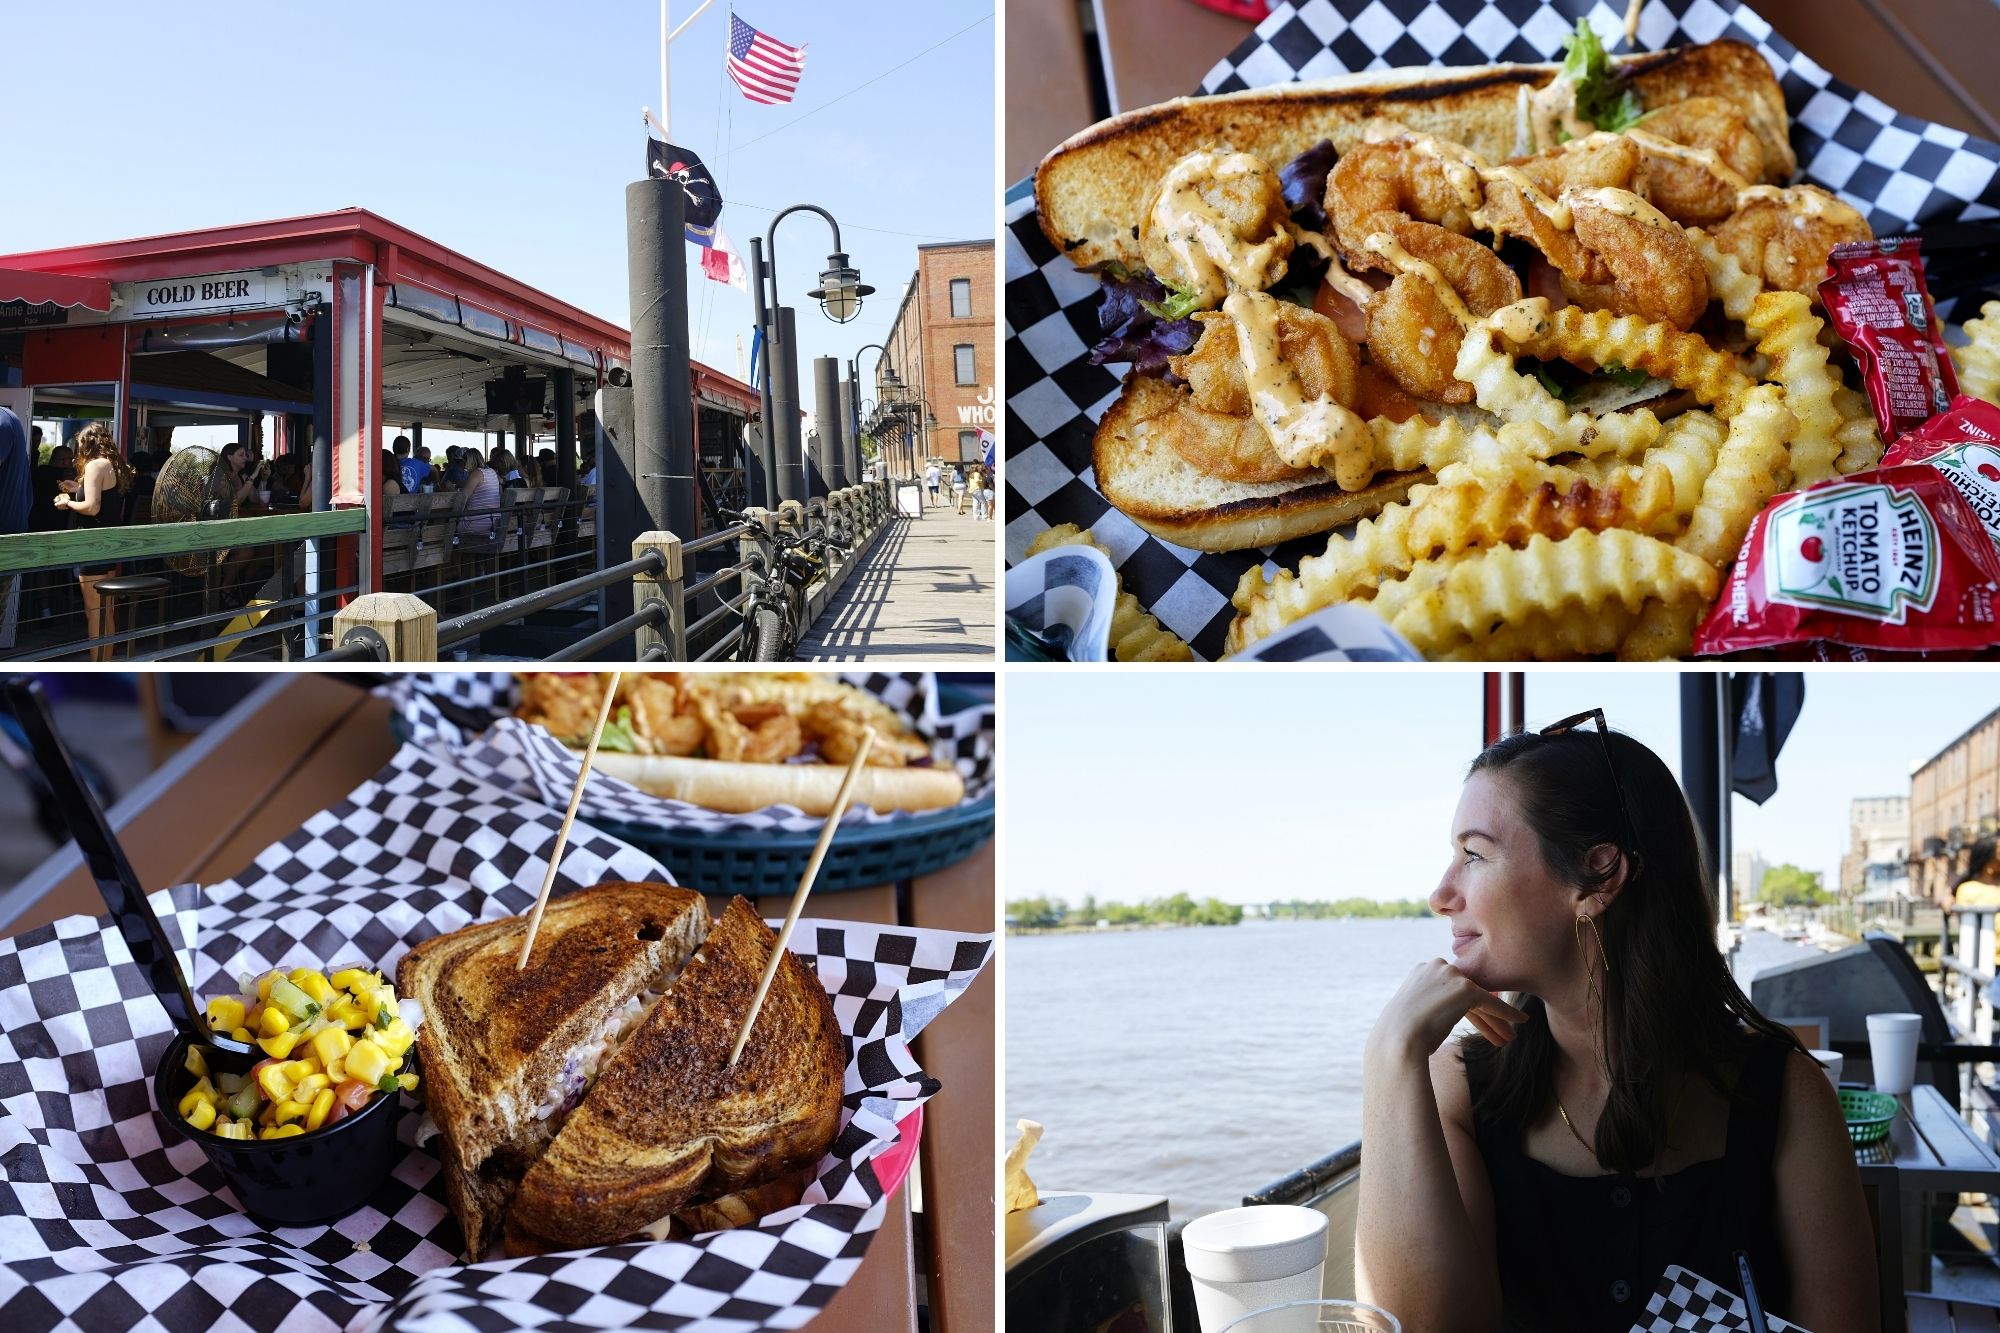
[495,1040]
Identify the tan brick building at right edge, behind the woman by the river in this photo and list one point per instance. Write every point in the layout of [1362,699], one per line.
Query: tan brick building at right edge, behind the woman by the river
[1955,814]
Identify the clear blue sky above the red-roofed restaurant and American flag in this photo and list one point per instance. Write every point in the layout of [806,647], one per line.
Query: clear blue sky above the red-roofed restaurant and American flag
[507,131]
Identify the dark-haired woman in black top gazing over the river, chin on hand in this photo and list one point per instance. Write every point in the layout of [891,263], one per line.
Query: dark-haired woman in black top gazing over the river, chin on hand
[1629,1112]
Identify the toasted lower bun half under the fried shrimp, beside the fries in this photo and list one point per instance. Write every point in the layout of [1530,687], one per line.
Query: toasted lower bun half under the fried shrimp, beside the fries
[1163,493]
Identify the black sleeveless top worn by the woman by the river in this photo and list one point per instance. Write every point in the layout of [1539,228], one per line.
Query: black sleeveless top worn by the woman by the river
[1585,1254]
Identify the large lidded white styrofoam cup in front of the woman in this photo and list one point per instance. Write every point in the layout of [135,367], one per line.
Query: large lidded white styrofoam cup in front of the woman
[1243,1260]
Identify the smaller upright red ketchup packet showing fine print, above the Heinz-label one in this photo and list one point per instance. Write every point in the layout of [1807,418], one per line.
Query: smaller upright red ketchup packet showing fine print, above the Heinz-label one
[1877,301]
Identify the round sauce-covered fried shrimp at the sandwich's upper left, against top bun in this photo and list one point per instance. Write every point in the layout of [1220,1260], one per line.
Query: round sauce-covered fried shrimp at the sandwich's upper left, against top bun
[1219,223]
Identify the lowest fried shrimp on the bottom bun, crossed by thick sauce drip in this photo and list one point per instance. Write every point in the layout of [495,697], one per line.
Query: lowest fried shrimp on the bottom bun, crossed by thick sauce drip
[1215,425]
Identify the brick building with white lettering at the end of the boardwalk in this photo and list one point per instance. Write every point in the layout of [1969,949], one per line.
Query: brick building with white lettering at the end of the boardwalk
[943,351]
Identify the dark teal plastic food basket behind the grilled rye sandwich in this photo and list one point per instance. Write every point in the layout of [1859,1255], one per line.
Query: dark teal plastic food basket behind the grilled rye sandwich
[753,856]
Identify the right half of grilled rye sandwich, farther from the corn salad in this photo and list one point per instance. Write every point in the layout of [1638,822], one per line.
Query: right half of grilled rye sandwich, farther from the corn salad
[671,1122]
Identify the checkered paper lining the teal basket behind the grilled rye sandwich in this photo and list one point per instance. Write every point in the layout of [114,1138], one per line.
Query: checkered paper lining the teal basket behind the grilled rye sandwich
[529,762]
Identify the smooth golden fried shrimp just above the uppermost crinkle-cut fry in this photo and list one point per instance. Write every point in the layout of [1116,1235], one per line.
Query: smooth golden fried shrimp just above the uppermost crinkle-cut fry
[1649,265]
